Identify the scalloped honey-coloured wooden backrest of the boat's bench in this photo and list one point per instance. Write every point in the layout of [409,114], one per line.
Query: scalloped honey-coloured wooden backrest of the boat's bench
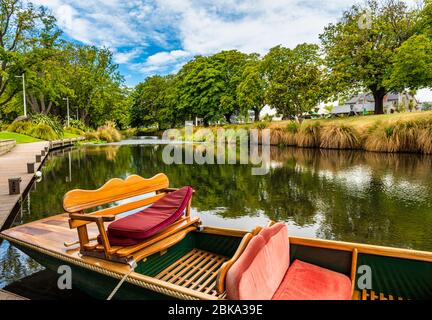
[114,190]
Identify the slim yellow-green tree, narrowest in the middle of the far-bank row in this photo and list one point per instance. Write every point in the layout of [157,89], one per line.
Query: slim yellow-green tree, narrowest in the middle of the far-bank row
[251,91]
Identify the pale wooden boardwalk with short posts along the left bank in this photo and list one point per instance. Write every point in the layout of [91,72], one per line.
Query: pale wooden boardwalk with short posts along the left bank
[14,164]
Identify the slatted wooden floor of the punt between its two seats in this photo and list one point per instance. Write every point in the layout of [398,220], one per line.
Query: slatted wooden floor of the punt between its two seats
[197,270]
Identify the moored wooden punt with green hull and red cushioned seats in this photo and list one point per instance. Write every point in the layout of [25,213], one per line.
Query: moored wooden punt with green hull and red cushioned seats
[149,247]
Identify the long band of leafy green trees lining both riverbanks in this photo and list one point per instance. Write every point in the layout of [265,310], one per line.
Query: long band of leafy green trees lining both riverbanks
[379,47]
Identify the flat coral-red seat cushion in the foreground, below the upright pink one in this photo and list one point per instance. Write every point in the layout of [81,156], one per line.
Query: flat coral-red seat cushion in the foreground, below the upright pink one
[305,281]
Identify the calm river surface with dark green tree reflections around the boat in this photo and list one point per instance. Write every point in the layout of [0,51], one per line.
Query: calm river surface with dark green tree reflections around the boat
[383,199]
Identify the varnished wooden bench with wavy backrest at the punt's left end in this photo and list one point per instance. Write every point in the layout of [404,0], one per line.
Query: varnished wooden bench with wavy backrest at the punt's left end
[77,202]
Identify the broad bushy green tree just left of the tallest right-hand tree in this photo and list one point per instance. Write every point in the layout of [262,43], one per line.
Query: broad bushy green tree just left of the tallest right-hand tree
[295,79]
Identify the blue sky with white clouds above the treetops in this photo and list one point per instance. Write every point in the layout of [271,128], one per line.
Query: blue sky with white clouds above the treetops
[159,36]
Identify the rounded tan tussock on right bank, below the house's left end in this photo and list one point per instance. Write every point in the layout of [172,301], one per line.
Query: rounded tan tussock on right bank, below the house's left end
[339,137]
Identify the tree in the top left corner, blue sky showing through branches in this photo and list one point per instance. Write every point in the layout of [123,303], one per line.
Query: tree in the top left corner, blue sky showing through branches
[26,34]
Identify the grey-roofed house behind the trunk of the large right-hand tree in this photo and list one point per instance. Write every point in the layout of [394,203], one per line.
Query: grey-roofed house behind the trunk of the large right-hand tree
[365,103]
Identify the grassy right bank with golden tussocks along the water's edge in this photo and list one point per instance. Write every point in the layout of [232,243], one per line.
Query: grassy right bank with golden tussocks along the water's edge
[403,132]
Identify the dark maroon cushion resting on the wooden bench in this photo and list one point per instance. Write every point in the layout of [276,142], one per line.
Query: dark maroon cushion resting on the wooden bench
[146,223]
